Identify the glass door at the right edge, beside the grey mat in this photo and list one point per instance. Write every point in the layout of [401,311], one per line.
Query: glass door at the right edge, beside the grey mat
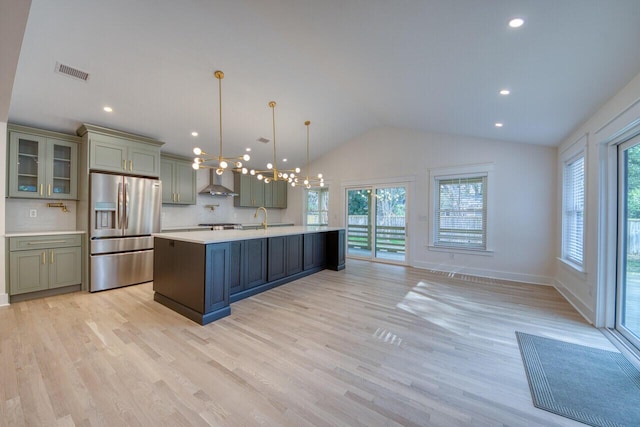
[628,282]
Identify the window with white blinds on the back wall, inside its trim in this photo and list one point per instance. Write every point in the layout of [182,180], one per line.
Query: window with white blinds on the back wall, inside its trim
[460,216]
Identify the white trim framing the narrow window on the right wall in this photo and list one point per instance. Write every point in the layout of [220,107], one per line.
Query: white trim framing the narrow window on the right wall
[574,151]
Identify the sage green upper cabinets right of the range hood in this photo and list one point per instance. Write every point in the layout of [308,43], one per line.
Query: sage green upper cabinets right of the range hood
[254,193]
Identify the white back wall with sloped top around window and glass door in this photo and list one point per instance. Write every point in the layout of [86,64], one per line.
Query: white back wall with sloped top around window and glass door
[523,186]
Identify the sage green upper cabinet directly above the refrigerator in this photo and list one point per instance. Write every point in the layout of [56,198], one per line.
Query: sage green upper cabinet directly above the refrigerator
[121,152]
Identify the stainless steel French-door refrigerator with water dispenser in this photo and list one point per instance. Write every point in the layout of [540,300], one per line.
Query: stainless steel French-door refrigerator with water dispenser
[124,211]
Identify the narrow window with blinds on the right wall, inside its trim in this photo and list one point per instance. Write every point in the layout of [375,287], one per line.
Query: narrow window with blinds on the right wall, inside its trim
[573,210]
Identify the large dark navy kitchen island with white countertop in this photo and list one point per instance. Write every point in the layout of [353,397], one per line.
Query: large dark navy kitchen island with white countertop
[199,273]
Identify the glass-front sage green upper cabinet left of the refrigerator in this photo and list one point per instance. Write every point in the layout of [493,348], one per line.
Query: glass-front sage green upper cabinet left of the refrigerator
[42,164]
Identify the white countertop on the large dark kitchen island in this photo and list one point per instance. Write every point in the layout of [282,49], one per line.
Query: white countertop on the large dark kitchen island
[220,236]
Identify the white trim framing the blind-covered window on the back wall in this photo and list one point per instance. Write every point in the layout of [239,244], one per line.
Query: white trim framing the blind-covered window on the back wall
[482,169]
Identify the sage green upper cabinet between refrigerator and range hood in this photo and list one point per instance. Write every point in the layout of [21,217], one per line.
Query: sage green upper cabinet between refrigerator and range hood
[178,180]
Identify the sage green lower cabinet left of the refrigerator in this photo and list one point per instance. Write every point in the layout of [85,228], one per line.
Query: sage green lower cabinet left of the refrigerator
[38,263]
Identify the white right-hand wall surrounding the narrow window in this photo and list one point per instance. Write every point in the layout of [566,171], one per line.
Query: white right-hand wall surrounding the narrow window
[581,289]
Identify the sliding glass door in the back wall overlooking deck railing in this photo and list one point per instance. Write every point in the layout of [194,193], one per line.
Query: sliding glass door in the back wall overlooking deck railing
[377,223]
